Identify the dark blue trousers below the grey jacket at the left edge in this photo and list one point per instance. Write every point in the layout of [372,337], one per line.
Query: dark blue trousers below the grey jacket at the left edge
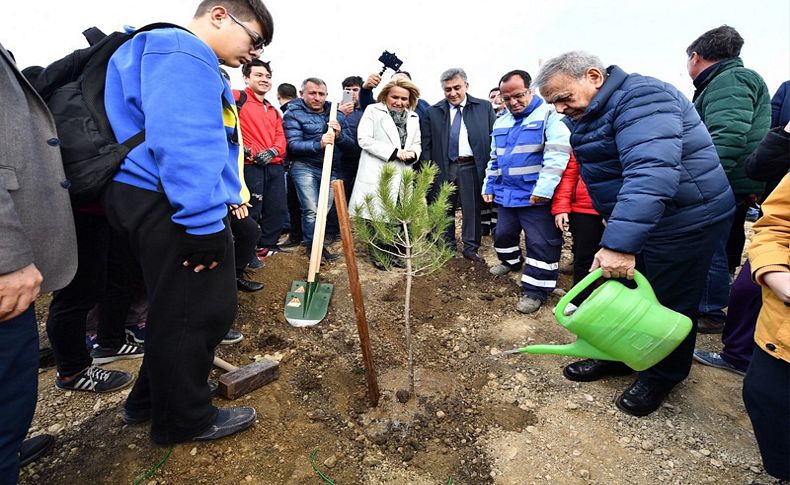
[19,378]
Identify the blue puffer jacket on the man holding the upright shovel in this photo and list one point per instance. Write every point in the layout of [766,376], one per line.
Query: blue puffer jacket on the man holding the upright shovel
[303,131]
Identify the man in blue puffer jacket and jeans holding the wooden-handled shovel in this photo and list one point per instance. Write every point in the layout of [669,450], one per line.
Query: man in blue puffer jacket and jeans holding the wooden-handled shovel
[306,125]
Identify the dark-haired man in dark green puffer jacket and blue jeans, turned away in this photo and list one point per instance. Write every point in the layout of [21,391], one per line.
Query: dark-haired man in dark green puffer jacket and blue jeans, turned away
[735,106]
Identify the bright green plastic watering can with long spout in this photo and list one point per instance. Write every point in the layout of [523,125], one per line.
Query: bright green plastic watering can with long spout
[618,323]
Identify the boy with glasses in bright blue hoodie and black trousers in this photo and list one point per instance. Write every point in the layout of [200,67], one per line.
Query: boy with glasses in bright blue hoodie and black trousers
[170,200]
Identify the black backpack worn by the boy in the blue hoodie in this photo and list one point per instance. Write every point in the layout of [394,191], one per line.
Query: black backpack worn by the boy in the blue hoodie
[73,88]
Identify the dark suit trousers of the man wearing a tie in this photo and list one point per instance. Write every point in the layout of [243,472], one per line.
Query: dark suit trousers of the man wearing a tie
[465,178]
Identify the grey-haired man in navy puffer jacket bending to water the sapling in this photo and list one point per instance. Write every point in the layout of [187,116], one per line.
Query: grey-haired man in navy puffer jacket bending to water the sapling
[652,171]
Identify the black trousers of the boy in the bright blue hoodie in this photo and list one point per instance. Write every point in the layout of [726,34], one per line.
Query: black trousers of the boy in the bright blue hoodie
[188,315]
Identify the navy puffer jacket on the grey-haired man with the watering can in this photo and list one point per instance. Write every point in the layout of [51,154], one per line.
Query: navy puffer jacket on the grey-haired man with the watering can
[648,161]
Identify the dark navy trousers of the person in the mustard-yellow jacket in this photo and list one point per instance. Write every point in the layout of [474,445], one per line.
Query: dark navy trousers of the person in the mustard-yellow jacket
[766,394]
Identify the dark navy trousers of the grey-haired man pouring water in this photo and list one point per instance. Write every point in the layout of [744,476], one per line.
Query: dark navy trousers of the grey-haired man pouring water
[676,266]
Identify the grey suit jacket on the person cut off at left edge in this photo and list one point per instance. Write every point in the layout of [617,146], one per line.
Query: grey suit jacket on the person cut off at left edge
[36,224]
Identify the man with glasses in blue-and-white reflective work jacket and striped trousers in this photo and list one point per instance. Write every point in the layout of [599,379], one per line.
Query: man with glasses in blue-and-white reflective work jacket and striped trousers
[529,151]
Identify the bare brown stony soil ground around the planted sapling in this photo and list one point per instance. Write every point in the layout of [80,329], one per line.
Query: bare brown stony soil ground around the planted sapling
[476,419]
